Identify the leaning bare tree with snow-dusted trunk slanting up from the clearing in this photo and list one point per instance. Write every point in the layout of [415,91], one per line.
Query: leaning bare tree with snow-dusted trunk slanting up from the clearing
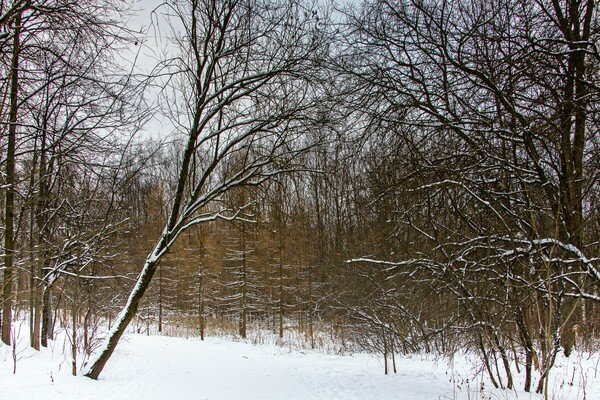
[241,93]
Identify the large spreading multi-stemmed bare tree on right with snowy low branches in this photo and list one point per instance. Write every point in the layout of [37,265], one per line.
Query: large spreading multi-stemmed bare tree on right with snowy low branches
[491,110]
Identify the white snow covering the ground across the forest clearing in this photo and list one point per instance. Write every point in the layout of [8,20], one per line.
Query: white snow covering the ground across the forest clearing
[157,367]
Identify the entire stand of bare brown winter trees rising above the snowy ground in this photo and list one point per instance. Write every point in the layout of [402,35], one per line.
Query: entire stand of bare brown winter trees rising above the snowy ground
[414,175]
